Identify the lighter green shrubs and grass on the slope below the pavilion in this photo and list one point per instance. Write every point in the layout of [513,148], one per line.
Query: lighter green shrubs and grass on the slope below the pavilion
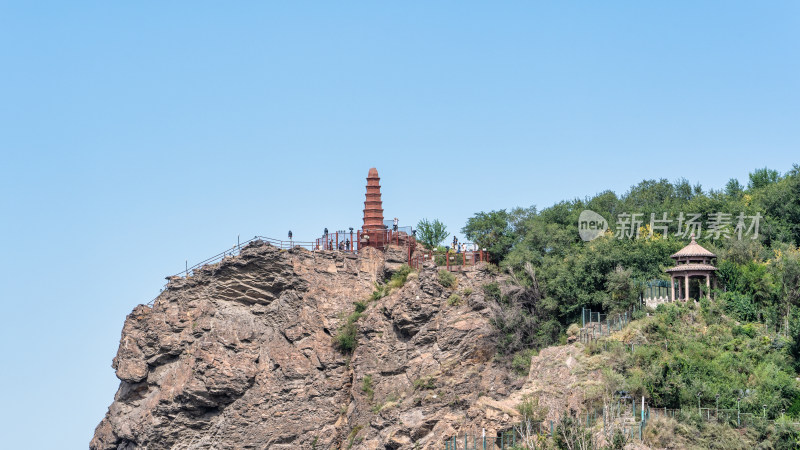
[683,353]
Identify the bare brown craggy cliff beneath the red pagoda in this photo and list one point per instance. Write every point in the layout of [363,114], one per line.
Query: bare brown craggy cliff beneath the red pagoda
[240,355]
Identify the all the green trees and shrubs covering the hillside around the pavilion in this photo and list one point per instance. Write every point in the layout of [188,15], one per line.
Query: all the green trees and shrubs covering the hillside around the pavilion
[743,345]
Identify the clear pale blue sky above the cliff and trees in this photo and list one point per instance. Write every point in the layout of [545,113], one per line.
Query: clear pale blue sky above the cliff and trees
[138,135]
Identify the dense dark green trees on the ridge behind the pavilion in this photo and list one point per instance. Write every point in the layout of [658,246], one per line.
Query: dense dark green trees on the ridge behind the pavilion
[759,278]
